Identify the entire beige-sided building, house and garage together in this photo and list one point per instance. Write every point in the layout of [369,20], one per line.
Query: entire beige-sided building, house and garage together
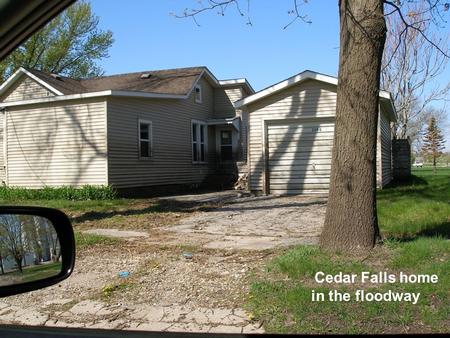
[176,126]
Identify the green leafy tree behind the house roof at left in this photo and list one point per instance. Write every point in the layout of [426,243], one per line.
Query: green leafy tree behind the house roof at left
[70,45]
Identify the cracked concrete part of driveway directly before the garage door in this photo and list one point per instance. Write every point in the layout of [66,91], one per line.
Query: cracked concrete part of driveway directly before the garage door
[255,223]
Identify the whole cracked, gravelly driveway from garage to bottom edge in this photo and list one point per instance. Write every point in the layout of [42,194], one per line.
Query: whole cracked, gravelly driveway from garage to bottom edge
[189,272]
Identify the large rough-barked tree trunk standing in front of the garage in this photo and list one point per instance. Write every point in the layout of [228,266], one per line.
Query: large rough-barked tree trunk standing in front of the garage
[351,217]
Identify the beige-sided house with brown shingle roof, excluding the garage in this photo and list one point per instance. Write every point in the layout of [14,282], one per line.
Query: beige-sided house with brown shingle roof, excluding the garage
[175,126]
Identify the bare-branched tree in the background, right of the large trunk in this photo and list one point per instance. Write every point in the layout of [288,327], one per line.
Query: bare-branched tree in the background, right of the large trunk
[410,68]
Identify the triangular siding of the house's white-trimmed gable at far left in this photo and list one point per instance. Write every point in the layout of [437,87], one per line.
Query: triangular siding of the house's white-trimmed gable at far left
[25,89]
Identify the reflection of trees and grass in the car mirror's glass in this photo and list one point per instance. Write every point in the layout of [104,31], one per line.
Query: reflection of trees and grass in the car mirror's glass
[29,249]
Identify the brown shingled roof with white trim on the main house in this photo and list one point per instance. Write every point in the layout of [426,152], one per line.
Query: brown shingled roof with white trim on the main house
[175,83]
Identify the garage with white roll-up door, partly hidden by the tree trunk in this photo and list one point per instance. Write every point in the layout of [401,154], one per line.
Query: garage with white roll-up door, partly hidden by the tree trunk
[291,129]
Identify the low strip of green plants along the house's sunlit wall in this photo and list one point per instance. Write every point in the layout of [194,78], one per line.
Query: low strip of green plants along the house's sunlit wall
[87,192]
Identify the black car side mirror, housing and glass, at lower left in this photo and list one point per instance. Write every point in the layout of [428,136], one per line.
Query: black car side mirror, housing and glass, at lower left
[37,248]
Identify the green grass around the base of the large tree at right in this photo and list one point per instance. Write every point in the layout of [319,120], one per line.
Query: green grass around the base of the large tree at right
[415,219]
